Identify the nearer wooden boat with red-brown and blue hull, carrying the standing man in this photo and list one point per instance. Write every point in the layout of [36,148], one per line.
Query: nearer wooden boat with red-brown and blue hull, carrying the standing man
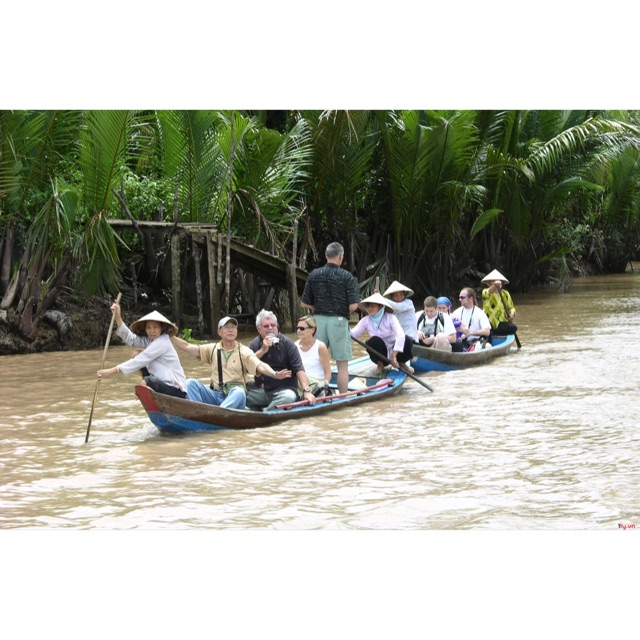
[175,415]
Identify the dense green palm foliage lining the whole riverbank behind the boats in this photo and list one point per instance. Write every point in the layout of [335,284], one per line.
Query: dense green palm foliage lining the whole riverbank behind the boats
[433,198]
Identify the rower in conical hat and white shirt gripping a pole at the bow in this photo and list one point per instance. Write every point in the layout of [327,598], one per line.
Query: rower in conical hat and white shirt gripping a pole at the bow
[152,333]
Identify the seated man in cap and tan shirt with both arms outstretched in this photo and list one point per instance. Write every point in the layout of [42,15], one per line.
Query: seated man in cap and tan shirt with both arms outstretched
[230,362]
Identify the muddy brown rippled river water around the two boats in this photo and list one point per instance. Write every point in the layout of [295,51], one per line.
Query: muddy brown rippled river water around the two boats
[545,439]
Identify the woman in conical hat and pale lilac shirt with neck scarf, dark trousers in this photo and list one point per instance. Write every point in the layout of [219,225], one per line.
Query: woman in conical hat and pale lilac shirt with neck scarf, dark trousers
[386,334]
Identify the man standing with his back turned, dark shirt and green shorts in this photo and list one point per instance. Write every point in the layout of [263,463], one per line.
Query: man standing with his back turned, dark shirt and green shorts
[332,294]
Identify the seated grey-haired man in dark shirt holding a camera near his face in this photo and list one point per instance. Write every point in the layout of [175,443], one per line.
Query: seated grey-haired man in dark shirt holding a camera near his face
[279,352]
